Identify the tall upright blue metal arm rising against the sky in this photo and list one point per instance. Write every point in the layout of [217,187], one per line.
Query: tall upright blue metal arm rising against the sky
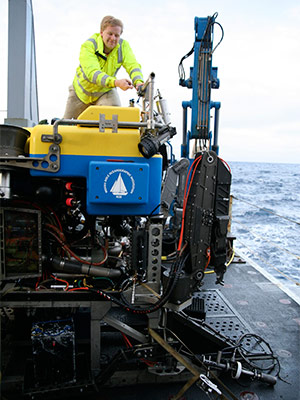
[203,78]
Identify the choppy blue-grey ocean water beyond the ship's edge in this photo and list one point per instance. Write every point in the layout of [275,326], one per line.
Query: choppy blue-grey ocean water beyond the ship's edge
[266,217]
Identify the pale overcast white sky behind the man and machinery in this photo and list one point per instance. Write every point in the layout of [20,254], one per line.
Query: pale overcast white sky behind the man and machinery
[258,63]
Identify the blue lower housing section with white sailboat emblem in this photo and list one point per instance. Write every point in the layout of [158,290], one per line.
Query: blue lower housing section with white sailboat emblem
[130,186]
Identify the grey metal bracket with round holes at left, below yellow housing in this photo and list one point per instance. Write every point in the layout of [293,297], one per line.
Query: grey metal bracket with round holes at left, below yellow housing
[49,163]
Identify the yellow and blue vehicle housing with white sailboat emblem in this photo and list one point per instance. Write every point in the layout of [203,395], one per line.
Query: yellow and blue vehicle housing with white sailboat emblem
[119,180]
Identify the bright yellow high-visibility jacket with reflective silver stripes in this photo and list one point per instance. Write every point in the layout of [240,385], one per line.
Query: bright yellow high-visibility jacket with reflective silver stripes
[96,72]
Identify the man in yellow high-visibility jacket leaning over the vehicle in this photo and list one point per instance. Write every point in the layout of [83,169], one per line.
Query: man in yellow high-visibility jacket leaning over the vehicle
[101,57]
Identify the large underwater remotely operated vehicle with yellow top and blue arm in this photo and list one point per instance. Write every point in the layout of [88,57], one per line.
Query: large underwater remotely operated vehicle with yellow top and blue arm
[105,242]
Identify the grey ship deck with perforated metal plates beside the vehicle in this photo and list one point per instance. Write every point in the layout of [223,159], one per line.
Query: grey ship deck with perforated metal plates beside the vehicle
[248,302]
